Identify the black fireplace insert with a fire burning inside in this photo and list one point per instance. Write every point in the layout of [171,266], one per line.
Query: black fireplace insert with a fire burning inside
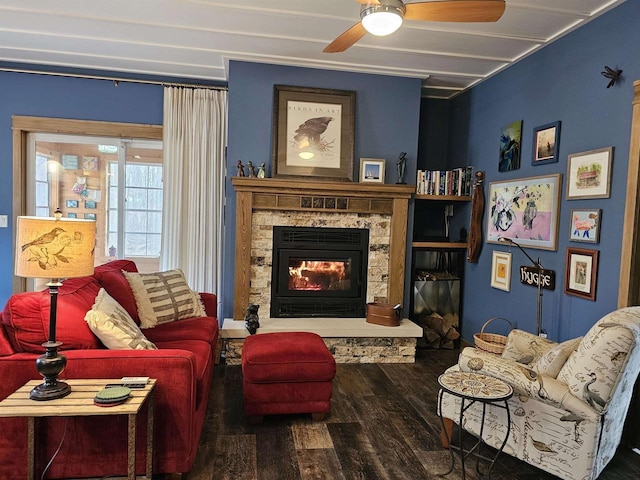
[319,272]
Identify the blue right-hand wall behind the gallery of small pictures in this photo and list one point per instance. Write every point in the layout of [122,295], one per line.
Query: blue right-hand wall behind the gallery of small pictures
[561,82]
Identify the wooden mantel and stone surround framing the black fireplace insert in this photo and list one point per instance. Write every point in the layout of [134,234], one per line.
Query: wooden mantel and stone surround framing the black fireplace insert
[265,203]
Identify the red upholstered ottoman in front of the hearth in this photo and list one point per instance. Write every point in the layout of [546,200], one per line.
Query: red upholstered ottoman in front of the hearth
[289,372]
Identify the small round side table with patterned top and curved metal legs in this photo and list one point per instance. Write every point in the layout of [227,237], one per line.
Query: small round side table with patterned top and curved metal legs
[474,388]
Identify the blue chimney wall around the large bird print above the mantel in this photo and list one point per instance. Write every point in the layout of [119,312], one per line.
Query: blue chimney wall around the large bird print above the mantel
[387,119]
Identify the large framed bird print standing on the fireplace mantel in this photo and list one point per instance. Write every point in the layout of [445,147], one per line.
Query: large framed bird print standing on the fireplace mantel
[313,132]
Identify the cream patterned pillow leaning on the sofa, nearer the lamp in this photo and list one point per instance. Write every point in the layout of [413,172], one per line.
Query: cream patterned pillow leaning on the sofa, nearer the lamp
[111,323]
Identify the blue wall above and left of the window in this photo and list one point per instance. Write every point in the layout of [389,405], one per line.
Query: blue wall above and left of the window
[61,97]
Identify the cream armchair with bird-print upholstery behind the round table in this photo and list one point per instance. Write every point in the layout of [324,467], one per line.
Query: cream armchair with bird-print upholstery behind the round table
[570,399]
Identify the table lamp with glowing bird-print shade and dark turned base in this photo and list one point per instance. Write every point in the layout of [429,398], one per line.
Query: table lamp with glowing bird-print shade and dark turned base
[54,248]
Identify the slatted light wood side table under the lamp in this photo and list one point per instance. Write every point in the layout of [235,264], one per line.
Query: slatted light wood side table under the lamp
[80,403]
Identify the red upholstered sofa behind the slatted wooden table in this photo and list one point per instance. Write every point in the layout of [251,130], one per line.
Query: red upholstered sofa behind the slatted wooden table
[96,446]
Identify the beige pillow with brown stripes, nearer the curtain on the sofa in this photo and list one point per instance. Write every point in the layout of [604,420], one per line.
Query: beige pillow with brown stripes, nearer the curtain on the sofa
[163,297]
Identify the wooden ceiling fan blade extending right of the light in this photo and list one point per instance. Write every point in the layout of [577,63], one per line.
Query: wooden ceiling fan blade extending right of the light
[456,10]
